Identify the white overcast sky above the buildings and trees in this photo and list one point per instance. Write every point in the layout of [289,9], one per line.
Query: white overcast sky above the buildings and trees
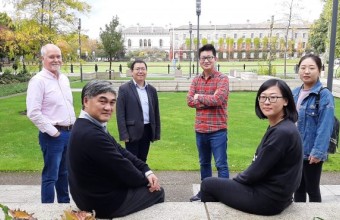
[180,12]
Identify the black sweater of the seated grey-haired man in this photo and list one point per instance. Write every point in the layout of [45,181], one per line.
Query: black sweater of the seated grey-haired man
[100,170]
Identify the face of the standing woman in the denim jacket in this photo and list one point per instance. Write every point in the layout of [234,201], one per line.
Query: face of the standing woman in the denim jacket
[309,72]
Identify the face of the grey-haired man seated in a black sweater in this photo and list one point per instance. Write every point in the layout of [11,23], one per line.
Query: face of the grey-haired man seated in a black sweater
[101,106]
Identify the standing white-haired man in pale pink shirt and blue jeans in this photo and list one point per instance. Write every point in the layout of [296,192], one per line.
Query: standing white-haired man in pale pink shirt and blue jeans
[50,107]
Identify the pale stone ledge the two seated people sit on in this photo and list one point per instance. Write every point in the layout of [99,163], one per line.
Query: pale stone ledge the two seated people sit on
[193,211]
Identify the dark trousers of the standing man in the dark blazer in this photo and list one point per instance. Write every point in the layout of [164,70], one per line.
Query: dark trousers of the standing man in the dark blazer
[141,147]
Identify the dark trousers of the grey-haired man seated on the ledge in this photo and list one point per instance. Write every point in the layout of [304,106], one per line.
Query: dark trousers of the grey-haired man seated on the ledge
[138,199]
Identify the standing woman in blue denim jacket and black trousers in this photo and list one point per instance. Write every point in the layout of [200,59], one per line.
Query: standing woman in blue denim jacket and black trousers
[315,106]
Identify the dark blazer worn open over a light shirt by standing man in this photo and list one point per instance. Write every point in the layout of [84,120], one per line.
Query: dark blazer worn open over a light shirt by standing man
[129,111]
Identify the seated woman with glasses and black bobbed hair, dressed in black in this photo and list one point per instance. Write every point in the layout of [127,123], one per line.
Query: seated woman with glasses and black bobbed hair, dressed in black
[266,187]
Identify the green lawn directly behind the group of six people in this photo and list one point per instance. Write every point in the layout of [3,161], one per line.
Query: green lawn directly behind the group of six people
[176,150]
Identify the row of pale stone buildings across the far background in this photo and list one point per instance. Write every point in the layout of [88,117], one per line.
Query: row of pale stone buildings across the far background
[233,41]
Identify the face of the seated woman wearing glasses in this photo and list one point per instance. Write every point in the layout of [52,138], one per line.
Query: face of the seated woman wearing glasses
[271,103]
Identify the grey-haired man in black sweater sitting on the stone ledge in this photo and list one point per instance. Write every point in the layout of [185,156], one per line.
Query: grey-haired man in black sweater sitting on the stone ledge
[103,176]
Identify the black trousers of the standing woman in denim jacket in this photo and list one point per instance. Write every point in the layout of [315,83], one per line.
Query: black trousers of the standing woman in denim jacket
[310,183]
